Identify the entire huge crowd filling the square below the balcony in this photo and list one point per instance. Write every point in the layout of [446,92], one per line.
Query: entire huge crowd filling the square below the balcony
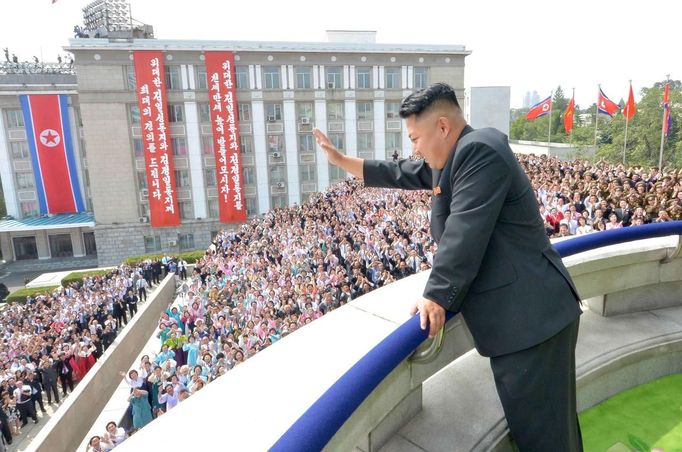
[273,275]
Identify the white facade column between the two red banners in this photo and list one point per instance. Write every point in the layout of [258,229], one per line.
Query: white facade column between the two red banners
[196,166]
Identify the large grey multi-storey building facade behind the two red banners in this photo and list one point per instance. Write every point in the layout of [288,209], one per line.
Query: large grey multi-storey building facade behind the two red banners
[349,87]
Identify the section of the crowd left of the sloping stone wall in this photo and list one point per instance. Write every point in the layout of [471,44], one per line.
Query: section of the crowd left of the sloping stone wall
[54,339]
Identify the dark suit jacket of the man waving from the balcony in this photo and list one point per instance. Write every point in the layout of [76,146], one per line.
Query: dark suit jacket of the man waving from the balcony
[495,263]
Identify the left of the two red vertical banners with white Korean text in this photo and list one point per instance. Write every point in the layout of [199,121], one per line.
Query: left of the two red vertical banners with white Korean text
[158,153]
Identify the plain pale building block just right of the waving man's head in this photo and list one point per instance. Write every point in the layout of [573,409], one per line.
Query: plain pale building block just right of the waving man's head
[487,106]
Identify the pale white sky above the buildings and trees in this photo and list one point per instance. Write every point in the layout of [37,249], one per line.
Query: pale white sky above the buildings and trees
[525,44]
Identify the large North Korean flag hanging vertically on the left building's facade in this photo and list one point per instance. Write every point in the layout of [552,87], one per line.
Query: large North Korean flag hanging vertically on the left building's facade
[48,131]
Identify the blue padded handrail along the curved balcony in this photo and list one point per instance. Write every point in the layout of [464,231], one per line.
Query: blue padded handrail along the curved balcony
[313,430]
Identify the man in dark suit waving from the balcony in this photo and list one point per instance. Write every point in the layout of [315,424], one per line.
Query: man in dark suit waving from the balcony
[494,263]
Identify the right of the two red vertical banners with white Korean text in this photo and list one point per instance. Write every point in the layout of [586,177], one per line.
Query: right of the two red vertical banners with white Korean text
[226,145]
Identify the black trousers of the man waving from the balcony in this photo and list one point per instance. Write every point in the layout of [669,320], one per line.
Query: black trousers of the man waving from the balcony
[537,390]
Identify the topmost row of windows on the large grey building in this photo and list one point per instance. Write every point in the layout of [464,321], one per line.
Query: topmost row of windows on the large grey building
[303,77]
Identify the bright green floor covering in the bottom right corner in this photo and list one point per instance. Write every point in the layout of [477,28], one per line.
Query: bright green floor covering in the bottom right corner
[640,419]
